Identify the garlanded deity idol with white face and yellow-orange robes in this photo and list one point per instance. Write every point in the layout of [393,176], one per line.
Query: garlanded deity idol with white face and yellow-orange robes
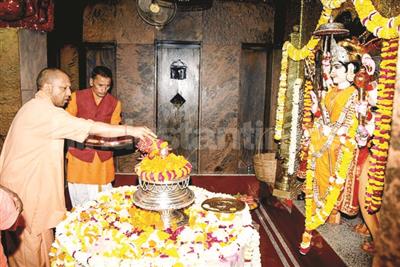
[338,132]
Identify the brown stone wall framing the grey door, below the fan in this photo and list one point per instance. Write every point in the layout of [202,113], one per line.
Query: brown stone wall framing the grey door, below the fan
[221,31]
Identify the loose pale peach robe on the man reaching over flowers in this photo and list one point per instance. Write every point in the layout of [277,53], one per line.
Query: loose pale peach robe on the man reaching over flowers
[32,162]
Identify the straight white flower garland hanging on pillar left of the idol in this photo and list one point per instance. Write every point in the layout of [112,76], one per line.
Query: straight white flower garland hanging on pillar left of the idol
[294,128]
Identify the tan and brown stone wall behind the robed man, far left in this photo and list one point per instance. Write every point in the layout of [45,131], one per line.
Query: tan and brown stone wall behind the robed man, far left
[23,53]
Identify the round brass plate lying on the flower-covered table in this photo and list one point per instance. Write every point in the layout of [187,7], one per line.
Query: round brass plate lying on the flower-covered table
[225,205]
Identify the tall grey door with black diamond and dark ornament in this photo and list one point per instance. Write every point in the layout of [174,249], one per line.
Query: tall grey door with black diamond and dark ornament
[177,83]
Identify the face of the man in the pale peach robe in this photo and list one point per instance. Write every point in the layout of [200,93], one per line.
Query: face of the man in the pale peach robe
[60,90]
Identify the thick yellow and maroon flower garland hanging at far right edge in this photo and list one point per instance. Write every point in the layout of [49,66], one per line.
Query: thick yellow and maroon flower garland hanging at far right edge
[385,28]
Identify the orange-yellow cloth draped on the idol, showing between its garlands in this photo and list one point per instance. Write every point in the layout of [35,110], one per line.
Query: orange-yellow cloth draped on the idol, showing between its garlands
[335,101]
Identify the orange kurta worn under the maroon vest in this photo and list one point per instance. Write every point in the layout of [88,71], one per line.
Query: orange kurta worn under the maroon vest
[96,172]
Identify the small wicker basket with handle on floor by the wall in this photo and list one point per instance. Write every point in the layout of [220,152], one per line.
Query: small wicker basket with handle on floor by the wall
[264,164]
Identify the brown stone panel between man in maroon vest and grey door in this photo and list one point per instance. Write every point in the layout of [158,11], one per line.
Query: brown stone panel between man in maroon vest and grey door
[136,90]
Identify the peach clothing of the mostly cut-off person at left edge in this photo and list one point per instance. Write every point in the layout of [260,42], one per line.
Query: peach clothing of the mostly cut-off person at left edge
[8,215]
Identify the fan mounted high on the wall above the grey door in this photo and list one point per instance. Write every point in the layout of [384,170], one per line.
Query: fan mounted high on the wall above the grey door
[156,12]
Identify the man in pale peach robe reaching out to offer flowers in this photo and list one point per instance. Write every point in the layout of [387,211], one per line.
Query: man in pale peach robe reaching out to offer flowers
[31,162]
